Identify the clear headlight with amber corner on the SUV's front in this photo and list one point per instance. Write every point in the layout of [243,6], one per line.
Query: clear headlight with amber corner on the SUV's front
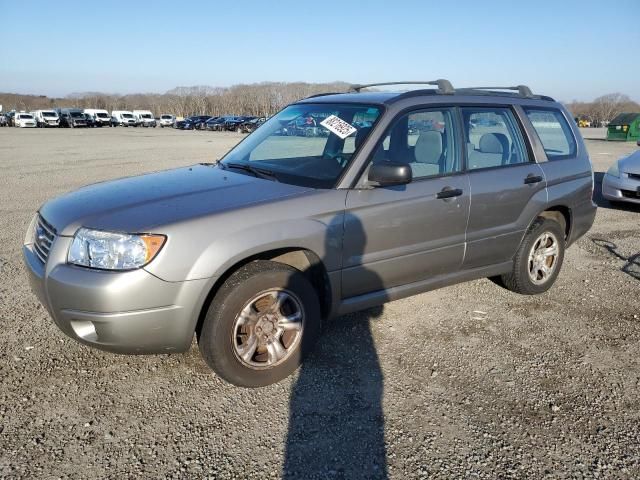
[113,251]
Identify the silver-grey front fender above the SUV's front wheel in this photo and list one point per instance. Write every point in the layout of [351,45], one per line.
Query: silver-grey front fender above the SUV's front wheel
[208,246]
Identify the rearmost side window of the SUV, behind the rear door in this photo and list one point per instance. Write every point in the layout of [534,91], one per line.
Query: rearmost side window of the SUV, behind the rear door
[554,132]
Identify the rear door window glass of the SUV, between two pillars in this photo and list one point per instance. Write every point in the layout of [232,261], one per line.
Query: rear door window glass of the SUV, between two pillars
[493,138]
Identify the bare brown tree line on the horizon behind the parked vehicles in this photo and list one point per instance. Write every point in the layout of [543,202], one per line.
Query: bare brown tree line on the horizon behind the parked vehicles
[260,99]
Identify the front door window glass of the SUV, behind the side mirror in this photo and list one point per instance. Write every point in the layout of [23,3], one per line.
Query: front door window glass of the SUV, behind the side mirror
[425,140]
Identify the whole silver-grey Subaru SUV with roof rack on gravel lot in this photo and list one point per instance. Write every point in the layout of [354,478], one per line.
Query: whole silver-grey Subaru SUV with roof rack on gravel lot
[339,202]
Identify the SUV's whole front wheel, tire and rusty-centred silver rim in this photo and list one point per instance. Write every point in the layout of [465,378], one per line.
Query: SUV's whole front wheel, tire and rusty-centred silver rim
[260,324]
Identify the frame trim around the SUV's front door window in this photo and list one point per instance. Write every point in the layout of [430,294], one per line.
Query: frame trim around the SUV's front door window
[455,122]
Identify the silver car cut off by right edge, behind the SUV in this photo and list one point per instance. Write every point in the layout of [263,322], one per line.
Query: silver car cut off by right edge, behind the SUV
[621,183]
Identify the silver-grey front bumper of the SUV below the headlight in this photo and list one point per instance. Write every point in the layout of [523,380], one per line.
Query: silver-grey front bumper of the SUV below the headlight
[124,312]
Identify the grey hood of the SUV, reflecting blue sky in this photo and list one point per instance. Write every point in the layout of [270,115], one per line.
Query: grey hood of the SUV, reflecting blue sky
[139,204]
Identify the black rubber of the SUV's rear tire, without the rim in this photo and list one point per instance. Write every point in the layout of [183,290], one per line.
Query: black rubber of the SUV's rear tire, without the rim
[519,279]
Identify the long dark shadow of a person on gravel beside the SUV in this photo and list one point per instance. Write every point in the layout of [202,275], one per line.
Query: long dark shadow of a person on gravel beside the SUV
[336,421]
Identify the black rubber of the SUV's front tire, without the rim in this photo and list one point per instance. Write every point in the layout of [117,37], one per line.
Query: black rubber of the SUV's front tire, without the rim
[216,337]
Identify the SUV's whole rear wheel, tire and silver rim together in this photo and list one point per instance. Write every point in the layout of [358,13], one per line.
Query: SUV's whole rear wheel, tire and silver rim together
[538,260]
